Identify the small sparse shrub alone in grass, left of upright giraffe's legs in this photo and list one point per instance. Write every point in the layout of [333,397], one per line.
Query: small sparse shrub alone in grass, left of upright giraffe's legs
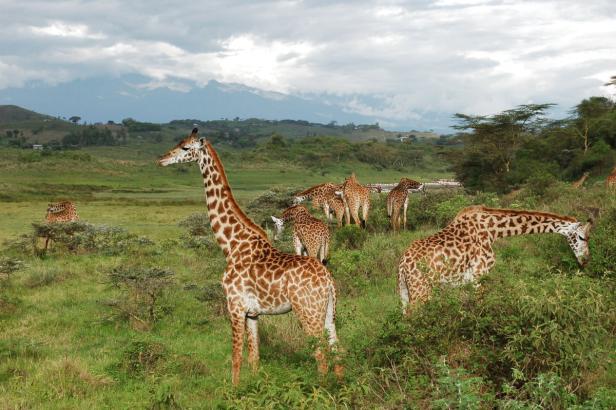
[142,288]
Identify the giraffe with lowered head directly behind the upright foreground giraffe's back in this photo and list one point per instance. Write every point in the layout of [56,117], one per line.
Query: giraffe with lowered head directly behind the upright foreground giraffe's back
[309,233]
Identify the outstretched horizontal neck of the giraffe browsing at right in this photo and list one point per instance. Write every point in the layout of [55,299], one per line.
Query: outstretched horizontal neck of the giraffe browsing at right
[503,223]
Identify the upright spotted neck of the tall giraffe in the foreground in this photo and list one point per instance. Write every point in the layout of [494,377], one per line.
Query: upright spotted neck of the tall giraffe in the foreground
[228,221]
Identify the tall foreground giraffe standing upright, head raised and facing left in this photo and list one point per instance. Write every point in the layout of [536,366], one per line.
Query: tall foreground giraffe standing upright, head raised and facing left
[258,279]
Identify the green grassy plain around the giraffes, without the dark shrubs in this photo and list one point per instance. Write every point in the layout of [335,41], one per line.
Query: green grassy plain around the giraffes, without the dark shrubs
[63,345]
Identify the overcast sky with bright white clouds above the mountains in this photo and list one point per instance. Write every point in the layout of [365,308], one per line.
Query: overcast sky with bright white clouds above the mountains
[393,60]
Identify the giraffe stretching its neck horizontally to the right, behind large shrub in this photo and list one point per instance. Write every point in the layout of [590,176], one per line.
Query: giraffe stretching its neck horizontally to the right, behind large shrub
[462,251]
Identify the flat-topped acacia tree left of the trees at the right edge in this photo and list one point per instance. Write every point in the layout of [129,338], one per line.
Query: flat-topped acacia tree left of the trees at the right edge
[492,142]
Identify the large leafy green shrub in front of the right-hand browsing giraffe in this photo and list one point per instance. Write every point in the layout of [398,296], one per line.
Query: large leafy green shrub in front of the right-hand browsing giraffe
[561,325]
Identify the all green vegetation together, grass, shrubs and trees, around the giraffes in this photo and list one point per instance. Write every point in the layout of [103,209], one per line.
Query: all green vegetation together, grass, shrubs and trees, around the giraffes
[126,309]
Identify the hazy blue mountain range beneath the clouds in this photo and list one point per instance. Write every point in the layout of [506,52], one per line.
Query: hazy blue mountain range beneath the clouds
[116,98]
